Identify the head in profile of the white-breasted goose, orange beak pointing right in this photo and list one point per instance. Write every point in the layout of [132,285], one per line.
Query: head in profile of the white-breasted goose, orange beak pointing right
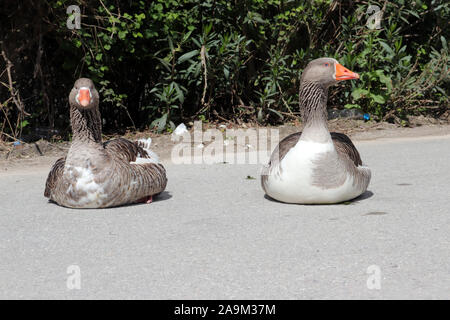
[326,72]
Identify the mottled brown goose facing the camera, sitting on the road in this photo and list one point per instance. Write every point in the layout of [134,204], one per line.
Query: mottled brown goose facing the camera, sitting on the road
[100,175]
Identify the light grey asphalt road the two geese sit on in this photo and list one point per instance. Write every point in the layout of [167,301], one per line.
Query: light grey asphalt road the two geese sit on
[213,235]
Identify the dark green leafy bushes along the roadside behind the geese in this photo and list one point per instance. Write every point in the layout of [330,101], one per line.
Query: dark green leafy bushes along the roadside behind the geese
[162,62]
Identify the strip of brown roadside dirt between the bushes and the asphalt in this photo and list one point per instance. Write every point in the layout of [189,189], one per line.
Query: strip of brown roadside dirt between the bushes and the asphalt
[41,155]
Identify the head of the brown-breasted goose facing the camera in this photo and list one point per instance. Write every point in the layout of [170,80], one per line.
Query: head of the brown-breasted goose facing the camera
[84,96]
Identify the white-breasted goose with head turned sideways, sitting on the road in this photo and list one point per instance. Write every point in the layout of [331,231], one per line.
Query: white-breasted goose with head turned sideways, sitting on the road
[316,166]
